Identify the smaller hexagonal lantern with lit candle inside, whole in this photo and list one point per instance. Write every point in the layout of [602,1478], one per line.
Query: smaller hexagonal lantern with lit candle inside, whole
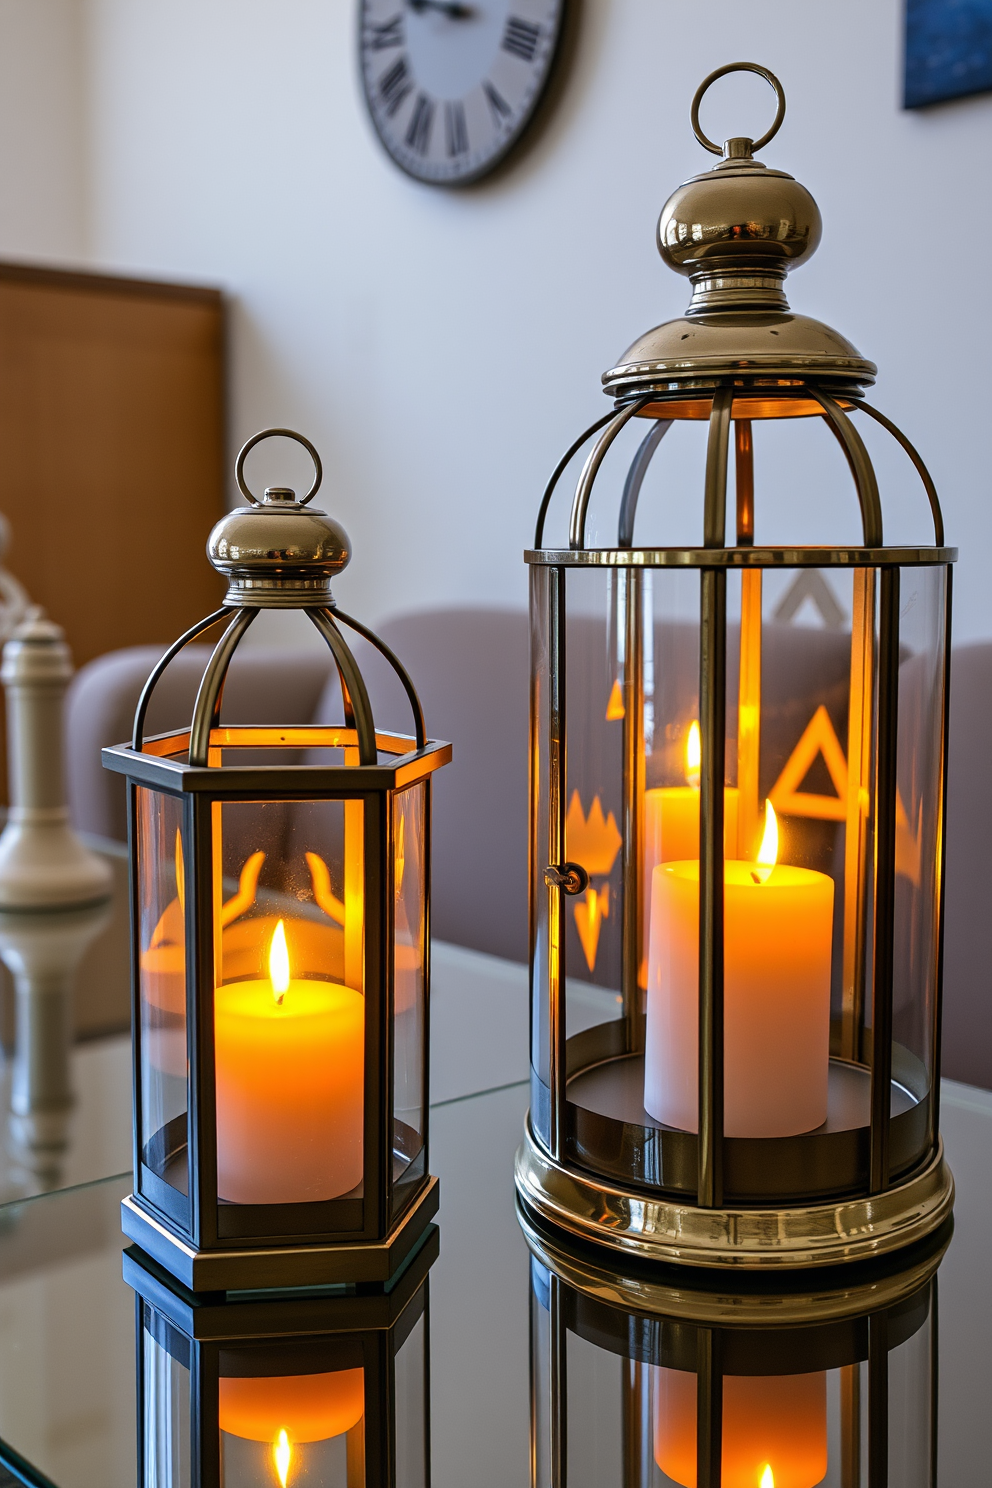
[280,885]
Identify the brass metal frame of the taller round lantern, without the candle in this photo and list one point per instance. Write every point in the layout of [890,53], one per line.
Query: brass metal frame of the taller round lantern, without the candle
[640,1188]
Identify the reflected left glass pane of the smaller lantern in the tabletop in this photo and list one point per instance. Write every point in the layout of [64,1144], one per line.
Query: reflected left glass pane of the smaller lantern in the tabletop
[166,1407]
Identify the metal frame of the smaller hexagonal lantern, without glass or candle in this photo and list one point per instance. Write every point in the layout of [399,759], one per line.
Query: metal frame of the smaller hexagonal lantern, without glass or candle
[204,1243]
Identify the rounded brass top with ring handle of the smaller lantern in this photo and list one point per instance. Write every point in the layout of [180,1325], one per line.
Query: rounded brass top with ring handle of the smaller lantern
[279,553]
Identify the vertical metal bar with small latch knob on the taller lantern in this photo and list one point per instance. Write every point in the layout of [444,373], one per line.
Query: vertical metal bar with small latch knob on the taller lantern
[557,785]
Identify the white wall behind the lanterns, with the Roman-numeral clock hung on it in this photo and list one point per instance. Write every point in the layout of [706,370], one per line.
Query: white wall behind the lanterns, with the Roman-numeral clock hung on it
[442,347]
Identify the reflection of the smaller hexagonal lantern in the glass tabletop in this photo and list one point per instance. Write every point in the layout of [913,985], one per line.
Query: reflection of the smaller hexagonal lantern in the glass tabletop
[329,1391]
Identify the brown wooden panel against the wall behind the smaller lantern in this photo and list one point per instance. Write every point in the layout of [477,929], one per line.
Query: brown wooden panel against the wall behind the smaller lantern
[112,452]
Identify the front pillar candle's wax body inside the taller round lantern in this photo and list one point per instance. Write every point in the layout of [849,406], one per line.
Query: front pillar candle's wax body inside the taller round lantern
[779,928]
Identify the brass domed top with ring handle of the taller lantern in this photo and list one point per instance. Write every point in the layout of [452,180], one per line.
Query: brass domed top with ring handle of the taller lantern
[735,231]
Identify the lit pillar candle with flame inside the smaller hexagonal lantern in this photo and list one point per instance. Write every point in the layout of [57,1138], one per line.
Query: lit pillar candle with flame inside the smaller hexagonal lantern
[291,1085]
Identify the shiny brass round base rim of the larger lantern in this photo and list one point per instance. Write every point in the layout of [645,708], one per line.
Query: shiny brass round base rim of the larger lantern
[793,1239]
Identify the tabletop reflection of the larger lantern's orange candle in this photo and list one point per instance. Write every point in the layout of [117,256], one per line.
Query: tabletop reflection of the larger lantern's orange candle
[774,1429]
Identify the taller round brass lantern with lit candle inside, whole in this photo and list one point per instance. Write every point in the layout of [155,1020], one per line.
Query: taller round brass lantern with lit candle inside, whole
[737,822]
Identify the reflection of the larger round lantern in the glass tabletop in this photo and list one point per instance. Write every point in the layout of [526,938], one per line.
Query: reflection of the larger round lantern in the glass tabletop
[770,1388]
